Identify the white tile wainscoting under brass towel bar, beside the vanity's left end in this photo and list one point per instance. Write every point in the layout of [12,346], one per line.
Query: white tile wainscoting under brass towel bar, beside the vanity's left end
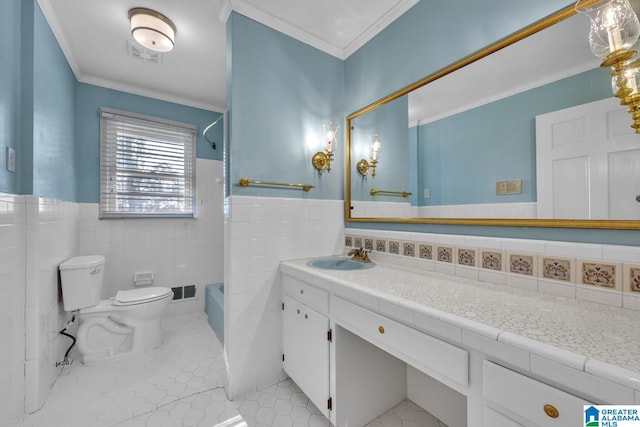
[259,233]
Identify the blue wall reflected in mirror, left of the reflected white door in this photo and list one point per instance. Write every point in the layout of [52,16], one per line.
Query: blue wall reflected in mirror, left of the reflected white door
[498,141]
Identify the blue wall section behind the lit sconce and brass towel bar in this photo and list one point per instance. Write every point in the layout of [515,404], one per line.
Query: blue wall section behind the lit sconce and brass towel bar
[281,94]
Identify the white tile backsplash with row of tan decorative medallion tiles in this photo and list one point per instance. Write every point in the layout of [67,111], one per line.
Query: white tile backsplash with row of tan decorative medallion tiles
[518,263]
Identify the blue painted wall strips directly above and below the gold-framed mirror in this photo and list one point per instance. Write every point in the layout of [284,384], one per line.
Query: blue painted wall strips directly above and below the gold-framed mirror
[428,38]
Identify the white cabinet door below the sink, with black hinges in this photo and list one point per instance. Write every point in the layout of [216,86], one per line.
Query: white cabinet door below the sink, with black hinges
[306,351]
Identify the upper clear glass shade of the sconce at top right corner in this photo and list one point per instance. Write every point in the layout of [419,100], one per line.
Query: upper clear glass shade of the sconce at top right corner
[614,25]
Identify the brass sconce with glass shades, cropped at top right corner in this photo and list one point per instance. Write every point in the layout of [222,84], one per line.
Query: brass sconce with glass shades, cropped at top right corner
[615,28]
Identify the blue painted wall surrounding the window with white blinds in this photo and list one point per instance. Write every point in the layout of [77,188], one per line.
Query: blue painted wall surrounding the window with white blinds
[91,98]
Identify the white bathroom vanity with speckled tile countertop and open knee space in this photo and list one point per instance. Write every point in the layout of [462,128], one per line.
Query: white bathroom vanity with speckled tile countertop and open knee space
[470,353]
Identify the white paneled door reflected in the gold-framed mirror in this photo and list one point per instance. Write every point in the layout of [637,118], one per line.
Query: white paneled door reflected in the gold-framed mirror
[588,163]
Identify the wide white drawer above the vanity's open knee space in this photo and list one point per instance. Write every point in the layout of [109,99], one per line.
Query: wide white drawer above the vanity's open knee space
[428,354]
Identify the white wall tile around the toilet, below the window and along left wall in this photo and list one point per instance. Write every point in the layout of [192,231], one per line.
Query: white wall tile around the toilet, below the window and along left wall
[37,234]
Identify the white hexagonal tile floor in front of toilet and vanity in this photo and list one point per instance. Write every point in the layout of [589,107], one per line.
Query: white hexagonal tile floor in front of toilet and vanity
[181,384]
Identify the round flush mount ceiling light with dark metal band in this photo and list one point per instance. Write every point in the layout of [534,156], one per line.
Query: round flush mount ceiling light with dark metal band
[152,30]
